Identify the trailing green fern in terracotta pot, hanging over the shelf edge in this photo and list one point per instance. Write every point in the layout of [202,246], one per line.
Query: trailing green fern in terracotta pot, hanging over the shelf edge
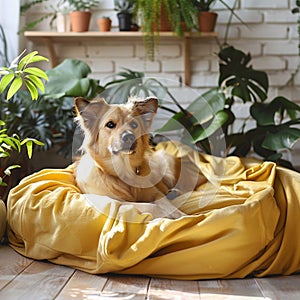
[176,12]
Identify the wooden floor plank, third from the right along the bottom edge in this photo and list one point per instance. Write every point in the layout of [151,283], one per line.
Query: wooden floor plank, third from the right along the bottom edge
[173,289]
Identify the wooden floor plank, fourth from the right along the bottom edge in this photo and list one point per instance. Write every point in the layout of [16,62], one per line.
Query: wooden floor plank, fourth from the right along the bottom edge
[125,287]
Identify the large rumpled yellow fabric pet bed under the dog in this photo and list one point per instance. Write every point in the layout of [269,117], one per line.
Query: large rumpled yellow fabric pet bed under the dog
[243,221]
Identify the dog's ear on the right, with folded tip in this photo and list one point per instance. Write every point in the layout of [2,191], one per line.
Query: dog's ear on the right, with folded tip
[146,109]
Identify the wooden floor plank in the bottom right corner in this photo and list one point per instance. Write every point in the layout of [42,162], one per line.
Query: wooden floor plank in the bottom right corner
[281,287]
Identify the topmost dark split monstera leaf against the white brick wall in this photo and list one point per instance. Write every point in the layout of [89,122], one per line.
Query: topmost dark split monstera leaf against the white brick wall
[245,82]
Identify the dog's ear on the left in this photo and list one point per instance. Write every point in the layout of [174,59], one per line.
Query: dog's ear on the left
[88,112]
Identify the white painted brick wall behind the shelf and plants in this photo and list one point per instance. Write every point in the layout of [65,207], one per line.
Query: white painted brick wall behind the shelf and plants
[270,36]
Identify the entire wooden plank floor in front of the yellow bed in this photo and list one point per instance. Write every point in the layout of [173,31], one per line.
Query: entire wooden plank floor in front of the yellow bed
[23,278]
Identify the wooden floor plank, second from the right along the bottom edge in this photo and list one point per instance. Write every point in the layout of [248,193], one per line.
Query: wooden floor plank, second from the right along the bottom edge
[241,289]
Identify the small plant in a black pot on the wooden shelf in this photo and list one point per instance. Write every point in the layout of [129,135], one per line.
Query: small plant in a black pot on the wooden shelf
[125,9]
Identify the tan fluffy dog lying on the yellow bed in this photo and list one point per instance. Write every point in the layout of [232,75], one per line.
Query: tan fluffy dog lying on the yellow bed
[118,160]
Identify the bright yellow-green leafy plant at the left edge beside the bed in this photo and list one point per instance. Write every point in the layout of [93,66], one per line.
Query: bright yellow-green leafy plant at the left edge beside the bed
[19,73]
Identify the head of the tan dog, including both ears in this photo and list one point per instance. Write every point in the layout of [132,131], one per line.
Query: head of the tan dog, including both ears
[116,129]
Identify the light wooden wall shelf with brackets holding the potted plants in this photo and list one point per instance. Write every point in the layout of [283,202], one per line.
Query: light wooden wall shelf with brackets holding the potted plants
[49,38]
